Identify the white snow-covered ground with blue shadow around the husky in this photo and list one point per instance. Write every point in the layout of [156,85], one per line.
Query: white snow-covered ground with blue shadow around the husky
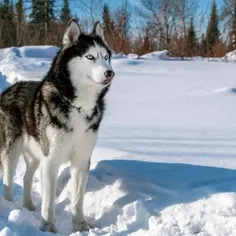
[165,160]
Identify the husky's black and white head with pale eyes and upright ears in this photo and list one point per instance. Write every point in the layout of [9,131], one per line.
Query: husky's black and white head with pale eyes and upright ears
[89,55]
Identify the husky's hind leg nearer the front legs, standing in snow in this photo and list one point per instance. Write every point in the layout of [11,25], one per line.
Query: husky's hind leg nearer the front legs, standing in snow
[31,166]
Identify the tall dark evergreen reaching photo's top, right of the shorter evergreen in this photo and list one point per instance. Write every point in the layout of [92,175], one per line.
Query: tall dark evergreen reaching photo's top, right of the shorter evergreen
[213,33]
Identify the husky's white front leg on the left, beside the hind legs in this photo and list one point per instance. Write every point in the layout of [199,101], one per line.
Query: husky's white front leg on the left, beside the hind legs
[49,171]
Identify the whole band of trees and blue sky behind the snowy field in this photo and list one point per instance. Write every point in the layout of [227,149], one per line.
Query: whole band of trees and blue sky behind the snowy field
[176,25]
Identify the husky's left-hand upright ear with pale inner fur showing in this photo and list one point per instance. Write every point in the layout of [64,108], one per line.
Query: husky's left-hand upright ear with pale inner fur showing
[72,33]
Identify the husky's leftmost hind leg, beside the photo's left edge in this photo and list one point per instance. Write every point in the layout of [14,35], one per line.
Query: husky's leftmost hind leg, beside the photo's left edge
[9,157]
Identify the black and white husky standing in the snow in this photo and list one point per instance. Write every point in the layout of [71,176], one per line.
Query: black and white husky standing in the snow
[56,121]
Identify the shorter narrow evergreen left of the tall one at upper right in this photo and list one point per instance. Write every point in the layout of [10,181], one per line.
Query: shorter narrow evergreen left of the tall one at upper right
[191,39]
